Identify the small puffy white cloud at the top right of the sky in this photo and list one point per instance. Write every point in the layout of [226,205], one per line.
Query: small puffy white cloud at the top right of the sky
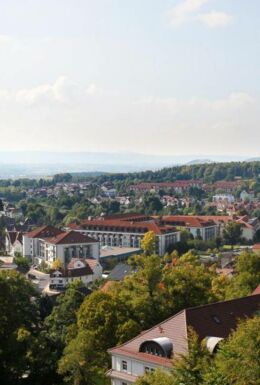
[188,10]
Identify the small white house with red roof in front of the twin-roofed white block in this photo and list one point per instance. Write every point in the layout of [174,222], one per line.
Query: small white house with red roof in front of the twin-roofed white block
[85,270]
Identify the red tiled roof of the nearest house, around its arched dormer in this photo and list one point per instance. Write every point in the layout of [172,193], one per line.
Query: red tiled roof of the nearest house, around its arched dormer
[213,320]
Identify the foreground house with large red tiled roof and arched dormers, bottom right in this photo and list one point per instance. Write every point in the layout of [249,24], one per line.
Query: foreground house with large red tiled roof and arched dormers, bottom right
[160,345]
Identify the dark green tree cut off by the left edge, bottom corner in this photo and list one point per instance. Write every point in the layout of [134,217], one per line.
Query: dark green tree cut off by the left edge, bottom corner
[19,318]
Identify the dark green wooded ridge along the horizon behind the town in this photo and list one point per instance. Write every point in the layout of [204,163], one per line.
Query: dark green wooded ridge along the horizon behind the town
[207,172]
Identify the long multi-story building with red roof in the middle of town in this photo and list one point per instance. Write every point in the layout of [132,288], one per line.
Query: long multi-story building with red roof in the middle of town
[128,231]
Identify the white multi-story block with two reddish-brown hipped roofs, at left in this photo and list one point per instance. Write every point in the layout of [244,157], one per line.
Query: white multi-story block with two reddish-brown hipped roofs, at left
[47,244]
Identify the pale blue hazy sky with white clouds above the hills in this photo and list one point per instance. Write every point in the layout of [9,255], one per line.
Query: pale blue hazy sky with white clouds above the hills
[165,77]
